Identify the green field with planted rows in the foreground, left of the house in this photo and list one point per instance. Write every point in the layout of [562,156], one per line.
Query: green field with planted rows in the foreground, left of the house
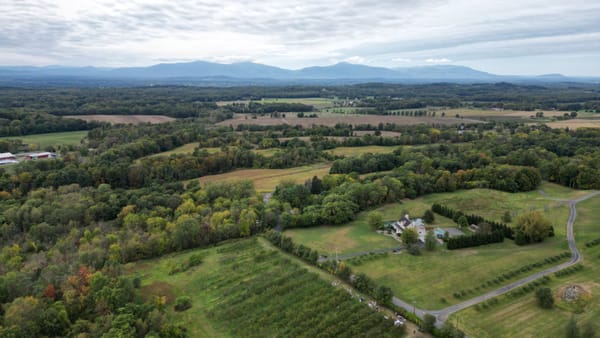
[248,288]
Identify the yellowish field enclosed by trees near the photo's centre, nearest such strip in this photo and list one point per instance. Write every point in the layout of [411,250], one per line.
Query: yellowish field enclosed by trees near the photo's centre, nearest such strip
[265,180]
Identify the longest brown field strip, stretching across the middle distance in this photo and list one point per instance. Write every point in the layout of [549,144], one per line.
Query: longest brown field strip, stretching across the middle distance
[353,120]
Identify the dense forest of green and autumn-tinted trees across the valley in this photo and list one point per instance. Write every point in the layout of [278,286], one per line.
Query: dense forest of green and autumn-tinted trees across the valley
[68,225]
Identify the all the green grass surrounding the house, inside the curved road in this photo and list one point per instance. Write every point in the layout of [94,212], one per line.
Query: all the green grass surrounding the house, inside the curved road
[466,269]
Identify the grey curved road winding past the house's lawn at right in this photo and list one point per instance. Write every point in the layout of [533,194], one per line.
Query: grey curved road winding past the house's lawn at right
[442,315]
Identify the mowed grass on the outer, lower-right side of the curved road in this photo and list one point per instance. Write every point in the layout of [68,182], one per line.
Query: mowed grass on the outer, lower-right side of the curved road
[522,317]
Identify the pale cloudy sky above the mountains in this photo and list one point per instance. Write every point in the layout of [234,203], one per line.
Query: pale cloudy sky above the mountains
[525,37]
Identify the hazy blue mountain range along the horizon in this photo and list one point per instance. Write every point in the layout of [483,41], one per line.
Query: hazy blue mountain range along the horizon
[202,72]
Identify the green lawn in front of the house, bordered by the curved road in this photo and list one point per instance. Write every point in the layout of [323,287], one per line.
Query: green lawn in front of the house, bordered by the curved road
[430,280]
